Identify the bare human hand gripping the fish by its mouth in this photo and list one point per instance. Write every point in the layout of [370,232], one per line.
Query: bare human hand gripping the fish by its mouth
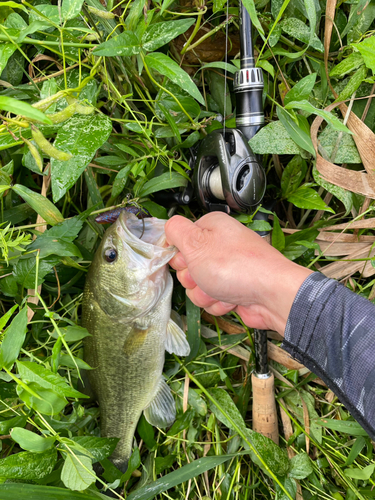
[225,266]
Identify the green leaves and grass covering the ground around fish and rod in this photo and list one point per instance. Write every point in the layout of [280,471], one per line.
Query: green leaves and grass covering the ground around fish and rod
[101,104]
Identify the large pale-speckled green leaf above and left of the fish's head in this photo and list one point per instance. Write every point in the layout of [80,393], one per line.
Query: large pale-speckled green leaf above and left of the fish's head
[81,136]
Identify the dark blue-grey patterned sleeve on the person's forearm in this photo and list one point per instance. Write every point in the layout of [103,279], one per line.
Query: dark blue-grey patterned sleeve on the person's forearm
[331,330]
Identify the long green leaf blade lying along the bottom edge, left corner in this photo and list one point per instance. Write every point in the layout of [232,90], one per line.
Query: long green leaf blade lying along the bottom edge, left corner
[24,491]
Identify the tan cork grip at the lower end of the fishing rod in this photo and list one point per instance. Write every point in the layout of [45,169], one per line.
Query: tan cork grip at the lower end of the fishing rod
[264,407]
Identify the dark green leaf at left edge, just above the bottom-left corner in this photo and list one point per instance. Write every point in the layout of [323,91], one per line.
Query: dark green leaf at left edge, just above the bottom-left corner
[28,466]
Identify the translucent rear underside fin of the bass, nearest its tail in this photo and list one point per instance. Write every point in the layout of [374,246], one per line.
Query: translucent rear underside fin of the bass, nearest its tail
[161,412]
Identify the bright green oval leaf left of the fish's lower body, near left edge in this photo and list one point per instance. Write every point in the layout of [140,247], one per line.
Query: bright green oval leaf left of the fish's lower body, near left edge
[43,400]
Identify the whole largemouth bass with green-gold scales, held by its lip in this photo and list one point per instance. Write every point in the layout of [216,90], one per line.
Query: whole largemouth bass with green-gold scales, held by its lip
[126,309]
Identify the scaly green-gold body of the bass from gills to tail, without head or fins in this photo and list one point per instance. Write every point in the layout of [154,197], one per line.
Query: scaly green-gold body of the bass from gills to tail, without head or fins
[127,361]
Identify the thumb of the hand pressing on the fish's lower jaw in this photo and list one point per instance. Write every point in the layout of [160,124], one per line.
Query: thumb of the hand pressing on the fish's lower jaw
[185,235]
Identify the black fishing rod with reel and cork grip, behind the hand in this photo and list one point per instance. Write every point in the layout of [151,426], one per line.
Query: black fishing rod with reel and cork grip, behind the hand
[228,176]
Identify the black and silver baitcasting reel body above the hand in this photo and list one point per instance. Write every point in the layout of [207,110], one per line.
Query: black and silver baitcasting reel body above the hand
[227,174]
